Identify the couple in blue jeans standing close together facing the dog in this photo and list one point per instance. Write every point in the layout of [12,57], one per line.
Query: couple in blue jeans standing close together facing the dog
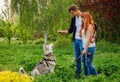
[82,27]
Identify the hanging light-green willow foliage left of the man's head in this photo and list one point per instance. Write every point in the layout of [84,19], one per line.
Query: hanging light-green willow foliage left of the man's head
[45,16]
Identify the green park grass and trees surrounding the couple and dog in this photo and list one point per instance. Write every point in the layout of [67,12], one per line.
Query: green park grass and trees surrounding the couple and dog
[25,25]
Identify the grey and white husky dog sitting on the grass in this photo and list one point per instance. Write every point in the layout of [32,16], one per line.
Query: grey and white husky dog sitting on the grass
[47,65]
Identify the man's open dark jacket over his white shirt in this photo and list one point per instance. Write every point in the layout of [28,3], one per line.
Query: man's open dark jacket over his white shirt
[72,28]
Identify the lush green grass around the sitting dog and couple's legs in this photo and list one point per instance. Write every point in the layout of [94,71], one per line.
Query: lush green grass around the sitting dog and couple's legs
[106,61]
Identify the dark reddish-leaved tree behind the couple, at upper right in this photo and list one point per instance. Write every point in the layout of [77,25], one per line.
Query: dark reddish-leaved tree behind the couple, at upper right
[109,12]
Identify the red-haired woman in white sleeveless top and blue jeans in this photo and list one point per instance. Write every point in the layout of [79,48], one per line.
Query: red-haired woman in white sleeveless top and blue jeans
[87,32]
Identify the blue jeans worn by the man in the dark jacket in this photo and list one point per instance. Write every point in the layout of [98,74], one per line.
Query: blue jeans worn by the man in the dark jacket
[77,50]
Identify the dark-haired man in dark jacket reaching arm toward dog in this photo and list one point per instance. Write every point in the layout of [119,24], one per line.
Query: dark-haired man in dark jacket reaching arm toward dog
[75,26]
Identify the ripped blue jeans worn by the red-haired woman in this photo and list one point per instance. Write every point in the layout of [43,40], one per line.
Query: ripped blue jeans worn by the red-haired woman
[87,61]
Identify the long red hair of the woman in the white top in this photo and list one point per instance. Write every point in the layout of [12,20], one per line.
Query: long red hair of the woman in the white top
[86,20]
